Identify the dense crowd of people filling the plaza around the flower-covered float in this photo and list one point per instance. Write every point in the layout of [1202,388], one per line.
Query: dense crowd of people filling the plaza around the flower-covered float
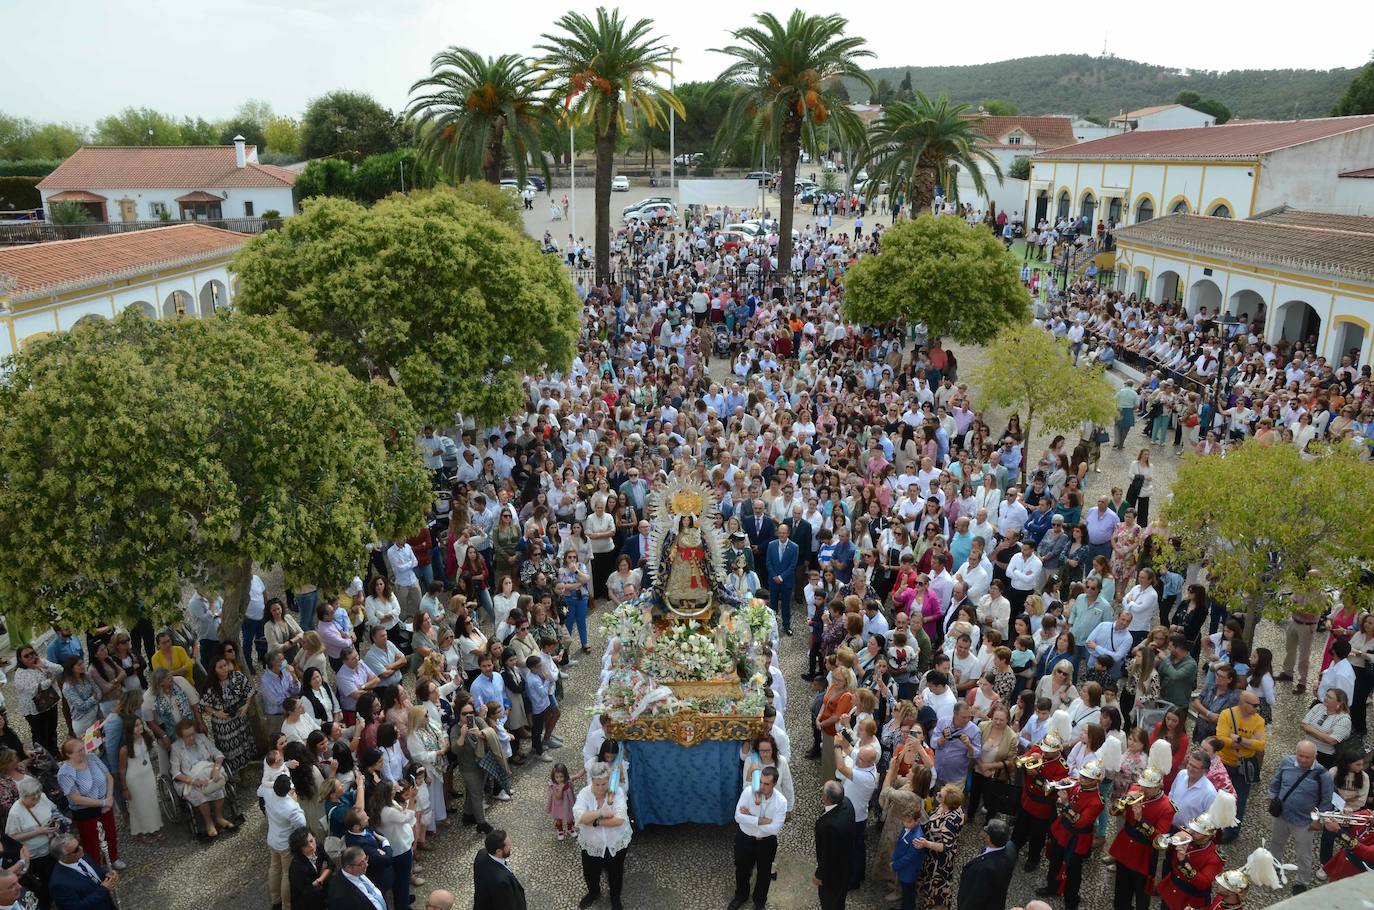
[980,636]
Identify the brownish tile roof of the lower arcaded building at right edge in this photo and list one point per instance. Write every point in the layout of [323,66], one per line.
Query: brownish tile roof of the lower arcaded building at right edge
[1347,252]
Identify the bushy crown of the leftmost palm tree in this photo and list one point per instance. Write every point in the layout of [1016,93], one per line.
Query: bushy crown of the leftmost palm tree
[473,111]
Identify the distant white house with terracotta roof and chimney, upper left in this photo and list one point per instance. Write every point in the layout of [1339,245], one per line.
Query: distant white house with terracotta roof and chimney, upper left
[178,184]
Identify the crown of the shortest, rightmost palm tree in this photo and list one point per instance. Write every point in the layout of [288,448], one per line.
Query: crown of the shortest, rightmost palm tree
[914,145]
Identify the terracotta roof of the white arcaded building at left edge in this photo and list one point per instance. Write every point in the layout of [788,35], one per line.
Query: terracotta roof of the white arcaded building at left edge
[49,269]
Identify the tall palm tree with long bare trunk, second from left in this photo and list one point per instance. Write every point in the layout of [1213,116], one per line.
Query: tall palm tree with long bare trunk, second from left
[601,68]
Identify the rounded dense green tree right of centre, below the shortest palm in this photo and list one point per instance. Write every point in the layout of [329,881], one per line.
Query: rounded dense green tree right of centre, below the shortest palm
[961,284]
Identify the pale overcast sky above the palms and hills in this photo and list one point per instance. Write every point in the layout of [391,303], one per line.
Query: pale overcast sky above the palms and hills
[80,60]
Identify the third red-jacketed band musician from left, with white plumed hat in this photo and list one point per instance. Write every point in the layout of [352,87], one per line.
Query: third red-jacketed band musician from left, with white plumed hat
[1149,813]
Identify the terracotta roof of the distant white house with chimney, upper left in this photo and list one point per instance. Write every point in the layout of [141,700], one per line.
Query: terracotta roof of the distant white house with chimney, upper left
[161,167]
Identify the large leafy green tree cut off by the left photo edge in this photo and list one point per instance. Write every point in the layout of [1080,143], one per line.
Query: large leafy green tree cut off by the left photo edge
[192,480]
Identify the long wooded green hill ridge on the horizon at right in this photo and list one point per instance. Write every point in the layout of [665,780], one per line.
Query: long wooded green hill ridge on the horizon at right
[1104,86]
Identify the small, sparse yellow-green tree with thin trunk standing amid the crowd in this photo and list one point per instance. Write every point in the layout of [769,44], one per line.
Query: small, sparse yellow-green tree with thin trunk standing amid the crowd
[1030,370]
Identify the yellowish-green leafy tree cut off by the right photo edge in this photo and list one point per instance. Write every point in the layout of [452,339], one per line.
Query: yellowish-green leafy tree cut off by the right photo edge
[1274,529]
